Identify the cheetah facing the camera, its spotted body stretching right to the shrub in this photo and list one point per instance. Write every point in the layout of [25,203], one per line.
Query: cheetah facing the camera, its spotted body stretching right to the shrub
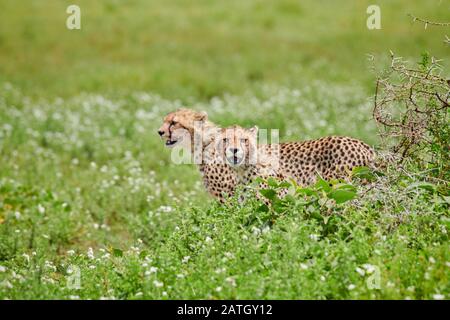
[329,157]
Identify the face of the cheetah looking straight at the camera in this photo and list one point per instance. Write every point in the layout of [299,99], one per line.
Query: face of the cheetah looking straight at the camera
[238,145]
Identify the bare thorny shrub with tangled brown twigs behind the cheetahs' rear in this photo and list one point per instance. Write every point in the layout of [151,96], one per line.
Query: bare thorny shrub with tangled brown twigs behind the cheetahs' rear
[411,110]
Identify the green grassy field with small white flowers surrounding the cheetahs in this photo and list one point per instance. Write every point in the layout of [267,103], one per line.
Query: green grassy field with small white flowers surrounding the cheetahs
[87,187]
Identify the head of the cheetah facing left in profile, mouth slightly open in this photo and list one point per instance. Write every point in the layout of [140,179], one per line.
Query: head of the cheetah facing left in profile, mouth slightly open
[178,126]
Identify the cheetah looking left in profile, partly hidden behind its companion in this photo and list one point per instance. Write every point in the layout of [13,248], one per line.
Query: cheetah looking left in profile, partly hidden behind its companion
[178,128]
